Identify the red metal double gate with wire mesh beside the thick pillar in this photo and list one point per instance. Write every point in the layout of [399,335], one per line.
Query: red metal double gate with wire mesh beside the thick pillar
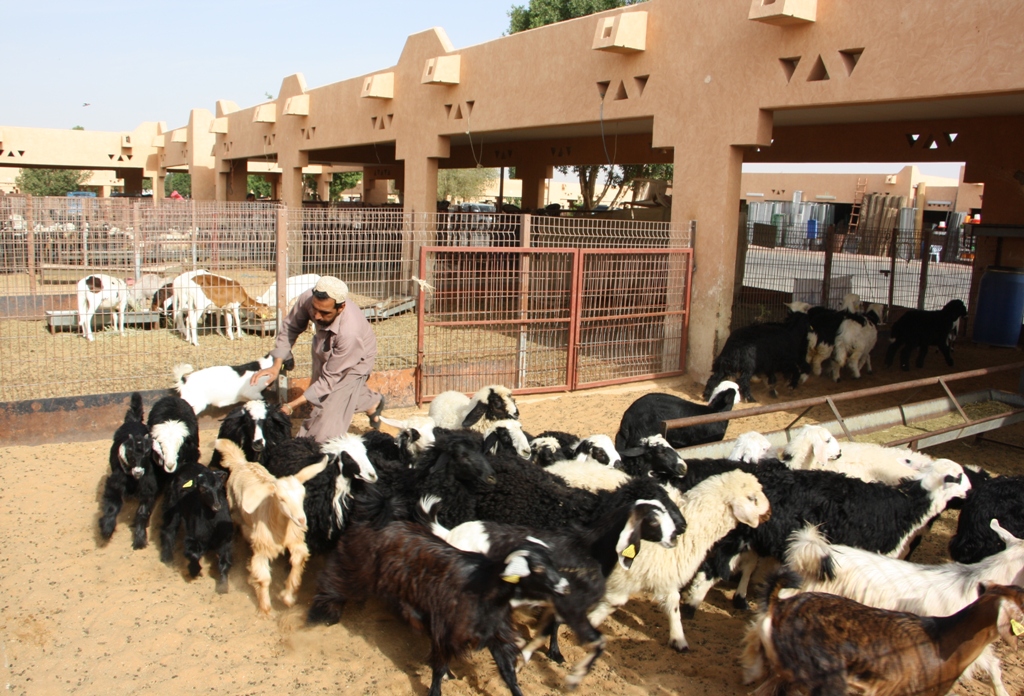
[550,320]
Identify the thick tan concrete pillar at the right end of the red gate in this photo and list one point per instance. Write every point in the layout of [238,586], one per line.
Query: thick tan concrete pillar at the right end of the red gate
[706,190]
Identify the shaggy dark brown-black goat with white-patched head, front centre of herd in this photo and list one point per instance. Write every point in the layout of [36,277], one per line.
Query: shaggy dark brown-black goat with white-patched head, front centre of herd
[460,599]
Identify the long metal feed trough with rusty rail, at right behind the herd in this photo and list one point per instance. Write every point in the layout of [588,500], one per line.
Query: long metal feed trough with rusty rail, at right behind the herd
[857,427]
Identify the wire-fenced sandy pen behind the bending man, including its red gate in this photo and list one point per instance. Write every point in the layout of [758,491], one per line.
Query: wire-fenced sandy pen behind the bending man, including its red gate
[457,300]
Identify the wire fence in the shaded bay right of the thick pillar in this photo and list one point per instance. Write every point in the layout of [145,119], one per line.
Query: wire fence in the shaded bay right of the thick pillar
[898,268]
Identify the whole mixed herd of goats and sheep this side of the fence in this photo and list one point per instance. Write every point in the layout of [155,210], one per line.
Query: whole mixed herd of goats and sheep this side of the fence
[462,518]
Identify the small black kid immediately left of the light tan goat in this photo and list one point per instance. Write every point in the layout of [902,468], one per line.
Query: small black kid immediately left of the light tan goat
[197,500]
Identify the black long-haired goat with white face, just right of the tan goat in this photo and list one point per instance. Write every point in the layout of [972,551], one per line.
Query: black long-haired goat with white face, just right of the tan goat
[329,493]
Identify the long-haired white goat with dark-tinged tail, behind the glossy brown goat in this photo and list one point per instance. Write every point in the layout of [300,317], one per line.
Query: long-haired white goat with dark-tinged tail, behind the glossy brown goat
[901,586]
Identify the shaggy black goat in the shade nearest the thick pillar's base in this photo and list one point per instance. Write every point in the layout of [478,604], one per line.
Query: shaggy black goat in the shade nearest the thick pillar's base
[763,350]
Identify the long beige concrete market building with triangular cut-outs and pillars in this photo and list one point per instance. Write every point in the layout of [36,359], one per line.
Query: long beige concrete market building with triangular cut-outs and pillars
[705,86]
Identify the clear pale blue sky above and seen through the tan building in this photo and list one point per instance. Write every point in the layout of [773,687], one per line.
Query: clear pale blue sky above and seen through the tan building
[136,62]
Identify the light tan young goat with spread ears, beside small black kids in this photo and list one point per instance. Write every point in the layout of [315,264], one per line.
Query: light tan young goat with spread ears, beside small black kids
[270,512]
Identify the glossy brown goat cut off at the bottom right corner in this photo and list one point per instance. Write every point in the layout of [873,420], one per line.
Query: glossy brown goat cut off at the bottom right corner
[824,644]
